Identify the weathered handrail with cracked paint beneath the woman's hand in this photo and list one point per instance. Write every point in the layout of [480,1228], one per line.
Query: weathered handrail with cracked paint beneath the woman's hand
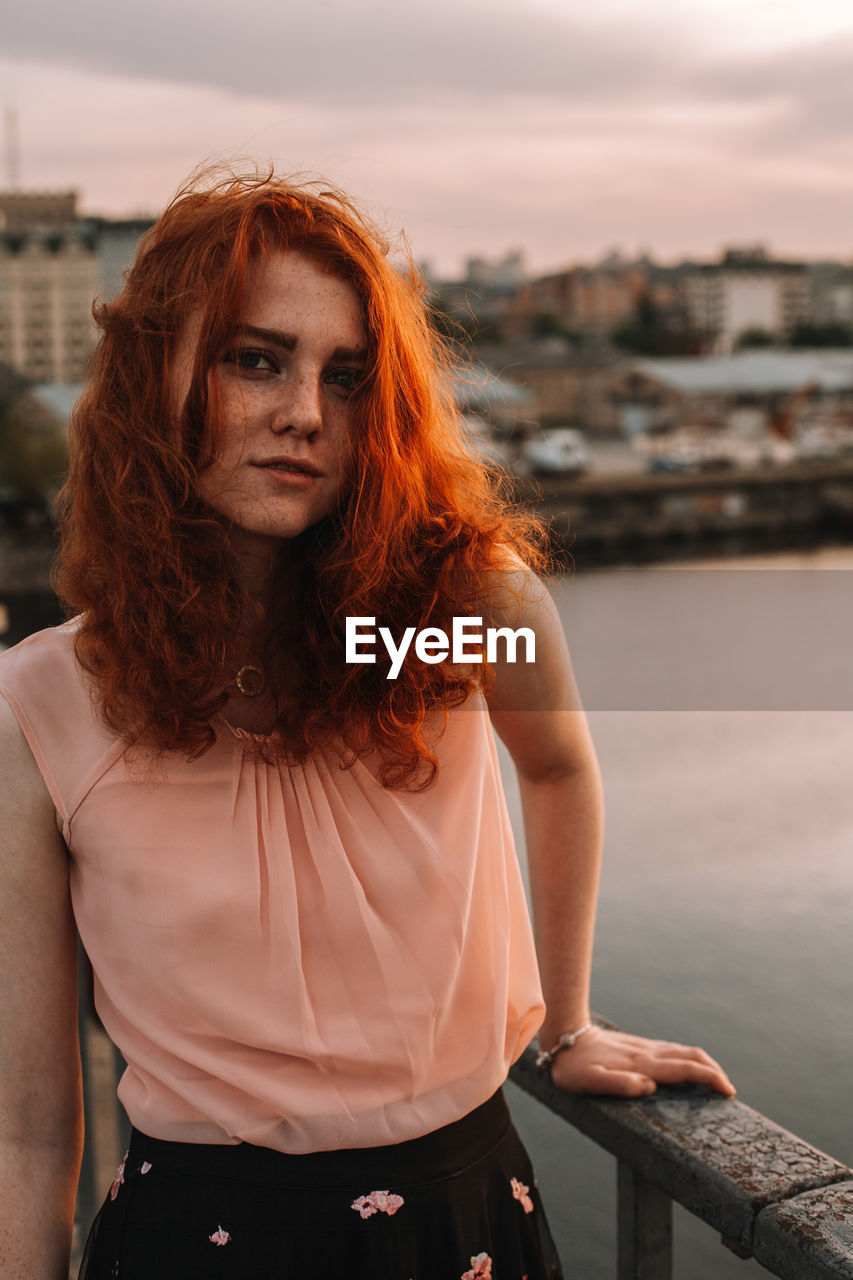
[770,1195]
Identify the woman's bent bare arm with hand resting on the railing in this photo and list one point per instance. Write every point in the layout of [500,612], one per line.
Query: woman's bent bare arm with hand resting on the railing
[537,712]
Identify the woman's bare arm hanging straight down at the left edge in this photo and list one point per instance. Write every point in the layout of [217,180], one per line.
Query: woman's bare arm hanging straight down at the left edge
[40,1075]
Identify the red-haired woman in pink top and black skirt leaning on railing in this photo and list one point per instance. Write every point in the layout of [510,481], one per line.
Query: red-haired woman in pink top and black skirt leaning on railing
[294,874]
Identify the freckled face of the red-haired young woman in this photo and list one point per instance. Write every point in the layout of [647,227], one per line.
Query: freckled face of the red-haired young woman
[285,390]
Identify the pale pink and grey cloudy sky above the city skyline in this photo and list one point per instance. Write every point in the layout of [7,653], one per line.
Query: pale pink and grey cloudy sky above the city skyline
[473,127]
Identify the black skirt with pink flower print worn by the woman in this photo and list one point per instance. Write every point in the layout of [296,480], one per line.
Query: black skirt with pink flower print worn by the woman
[459,1204]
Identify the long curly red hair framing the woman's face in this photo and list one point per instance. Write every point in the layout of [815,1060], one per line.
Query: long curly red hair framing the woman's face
[421,528]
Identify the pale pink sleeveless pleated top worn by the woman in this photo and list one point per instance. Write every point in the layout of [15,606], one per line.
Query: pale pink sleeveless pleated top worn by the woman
[291,957]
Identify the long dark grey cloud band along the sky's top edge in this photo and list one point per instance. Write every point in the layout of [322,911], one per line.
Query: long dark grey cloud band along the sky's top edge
[334,51]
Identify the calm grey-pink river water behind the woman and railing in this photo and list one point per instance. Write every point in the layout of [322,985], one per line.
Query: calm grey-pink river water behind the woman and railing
[727,749]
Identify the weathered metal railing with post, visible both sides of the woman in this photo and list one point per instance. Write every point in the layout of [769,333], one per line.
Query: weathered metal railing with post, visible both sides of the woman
[772,1196]
